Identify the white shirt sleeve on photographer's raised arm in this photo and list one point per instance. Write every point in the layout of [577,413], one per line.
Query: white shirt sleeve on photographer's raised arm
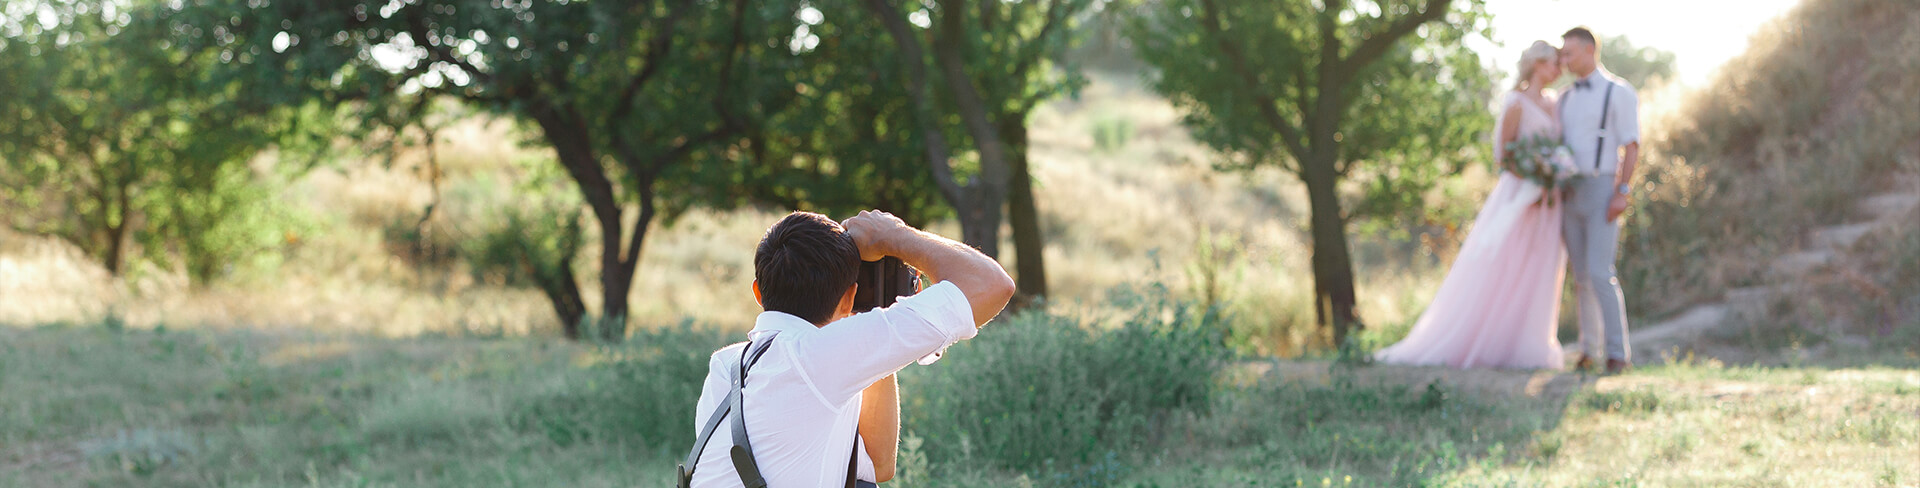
[852,354]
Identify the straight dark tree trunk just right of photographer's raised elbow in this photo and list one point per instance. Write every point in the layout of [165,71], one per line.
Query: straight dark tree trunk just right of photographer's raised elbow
[1030,247]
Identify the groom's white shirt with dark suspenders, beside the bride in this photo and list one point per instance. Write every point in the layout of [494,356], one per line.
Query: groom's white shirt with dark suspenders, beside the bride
[1581,122]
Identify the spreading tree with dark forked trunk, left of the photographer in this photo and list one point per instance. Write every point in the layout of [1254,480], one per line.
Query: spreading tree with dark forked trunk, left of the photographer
[633,97]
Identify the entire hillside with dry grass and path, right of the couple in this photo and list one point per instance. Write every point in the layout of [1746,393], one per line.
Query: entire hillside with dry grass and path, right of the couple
[1785,195]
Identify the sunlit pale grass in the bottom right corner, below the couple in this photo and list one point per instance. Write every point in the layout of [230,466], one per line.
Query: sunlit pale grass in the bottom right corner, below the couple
[1704,426]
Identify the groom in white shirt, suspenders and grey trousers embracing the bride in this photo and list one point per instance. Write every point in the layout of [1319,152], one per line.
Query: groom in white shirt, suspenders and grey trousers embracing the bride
[1602,126]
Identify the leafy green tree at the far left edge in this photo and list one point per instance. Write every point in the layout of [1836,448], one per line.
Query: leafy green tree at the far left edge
[126,147]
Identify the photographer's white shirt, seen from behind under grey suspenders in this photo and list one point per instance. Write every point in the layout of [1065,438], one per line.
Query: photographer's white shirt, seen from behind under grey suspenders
[804,397]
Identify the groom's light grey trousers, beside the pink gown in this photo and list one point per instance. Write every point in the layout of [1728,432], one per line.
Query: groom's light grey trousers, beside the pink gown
[1591,249]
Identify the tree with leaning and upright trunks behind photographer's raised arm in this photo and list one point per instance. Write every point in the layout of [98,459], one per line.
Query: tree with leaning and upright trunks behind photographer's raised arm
[996,68]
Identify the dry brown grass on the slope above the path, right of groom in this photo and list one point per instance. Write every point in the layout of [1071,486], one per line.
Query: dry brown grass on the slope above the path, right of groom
[1788,137]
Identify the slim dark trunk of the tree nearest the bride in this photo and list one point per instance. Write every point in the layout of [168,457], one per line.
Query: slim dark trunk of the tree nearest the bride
[1333,266]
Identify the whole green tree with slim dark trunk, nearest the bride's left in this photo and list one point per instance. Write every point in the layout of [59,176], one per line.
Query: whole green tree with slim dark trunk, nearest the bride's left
[1378,95]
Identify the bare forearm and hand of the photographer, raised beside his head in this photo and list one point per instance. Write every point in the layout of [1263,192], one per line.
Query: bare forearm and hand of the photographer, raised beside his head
[982,280]
